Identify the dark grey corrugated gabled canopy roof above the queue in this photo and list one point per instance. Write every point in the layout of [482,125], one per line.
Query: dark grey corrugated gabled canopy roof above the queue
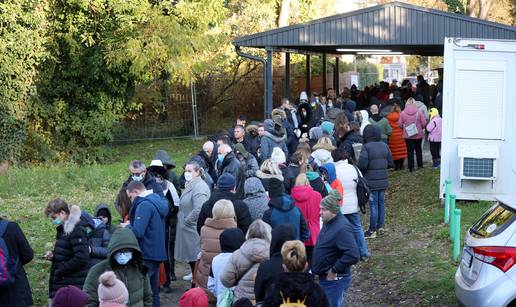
[395,26]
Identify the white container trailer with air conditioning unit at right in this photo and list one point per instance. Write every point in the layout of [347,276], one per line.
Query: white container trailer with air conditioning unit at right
[479,118]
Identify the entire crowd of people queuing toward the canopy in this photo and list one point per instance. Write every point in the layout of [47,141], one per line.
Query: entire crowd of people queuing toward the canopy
[264,214]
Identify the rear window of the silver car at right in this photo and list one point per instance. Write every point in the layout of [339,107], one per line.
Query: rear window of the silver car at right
[494,221]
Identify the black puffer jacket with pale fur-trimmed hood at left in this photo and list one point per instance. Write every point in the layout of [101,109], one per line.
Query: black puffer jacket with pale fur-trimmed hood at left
[71,254]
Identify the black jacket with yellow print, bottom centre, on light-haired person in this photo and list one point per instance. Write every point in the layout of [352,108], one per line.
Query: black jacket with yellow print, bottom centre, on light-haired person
[296,287]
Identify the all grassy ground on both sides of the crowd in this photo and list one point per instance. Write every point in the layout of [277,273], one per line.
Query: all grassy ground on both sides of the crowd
[413,259]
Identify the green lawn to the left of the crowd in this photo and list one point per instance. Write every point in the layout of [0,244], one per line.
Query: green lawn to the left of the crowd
[24,193]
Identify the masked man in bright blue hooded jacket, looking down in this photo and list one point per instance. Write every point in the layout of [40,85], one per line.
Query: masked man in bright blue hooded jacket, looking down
[147,221]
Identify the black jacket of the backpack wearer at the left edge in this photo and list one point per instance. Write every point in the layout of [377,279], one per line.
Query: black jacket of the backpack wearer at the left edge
[19,295]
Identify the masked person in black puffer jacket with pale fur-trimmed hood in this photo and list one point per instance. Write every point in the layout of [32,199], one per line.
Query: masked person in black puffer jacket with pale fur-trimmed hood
[71,251]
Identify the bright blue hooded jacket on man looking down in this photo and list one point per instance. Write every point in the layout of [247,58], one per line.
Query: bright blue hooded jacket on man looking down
[147,216]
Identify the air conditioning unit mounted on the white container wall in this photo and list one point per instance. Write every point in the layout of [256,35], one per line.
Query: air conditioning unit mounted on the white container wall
[478,161]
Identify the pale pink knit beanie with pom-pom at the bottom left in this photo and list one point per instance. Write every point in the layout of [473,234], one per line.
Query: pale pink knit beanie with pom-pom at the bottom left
[111,289]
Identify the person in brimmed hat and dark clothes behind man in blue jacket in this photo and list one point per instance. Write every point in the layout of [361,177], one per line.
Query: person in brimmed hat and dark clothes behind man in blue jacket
[159,172]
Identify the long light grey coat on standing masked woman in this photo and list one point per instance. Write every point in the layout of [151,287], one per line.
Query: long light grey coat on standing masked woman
[187,245]
